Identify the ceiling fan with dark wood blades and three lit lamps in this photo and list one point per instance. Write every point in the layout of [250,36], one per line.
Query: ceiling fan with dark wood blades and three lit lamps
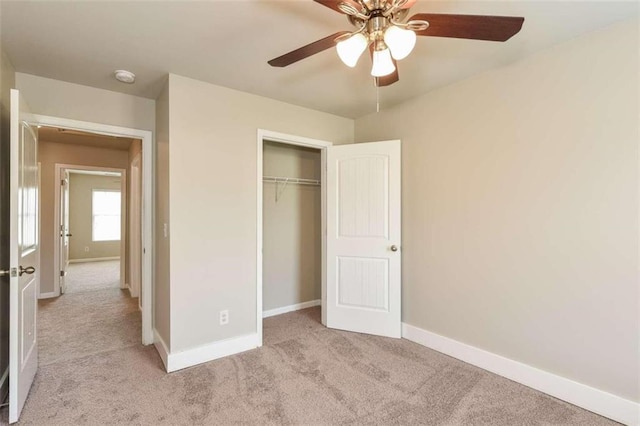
[383,27]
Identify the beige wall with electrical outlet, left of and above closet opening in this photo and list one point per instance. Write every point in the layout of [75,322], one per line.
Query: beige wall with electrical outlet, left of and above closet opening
[212,205]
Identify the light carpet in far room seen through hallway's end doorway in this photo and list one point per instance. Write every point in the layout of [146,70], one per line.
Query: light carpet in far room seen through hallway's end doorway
[91,276]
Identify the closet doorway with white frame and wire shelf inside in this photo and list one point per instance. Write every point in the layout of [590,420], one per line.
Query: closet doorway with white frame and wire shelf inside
[291,199]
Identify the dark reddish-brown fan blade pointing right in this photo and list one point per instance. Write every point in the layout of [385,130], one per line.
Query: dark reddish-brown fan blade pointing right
[476,27]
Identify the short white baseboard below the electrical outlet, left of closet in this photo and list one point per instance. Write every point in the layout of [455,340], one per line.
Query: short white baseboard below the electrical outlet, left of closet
[190,357]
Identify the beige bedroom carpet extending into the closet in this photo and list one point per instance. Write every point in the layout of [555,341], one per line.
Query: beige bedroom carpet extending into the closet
[305,374]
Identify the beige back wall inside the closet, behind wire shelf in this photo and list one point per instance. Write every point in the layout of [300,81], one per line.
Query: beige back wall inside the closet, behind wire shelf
[291,228]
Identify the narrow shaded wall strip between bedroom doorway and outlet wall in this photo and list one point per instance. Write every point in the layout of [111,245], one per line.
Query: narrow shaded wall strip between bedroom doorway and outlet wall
[162,295]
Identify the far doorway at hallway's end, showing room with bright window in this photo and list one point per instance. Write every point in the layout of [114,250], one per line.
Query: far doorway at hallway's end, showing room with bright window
[92,205]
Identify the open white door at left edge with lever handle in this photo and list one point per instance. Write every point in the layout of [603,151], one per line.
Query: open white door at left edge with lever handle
[24,279]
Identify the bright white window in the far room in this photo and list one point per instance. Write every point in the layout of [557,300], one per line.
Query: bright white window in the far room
[106,215]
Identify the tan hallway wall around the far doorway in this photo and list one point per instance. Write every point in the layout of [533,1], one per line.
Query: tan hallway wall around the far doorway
[50,154]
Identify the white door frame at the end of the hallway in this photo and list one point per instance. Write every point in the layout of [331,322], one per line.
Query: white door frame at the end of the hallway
[60,169]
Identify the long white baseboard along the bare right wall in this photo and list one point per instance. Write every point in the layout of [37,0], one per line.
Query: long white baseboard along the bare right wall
[592,399]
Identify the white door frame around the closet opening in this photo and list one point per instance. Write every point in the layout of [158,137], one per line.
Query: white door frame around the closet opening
[269,136]
